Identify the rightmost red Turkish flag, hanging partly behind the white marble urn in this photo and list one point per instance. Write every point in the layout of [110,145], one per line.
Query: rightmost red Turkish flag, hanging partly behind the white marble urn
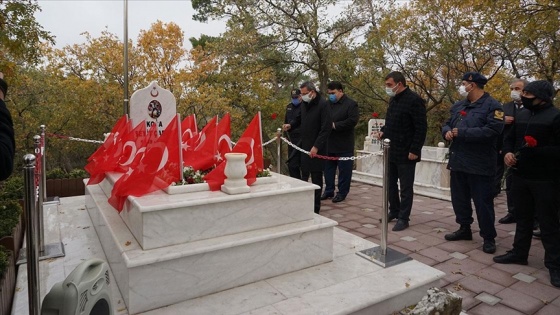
[250,143]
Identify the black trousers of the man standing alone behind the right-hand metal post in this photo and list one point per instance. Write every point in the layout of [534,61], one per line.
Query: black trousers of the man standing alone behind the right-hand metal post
[404,174]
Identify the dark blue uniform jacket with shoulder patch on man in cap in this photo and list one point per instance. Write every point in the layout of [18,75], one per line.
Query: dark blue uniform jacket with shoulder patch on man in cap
[474,150]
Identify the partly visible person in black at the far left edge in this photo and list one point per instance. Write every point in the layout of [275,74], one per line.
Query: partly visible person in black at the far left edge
[7,142]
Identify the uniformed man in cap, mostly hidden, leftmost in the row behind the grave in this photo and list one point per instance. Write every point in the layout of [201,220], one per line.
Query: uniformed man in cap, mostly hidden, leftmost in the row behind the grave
[292,110]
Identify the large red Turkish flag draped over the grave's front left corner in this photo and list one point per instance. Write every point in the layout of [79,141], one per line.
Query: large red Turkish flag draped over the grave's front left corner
[156,170]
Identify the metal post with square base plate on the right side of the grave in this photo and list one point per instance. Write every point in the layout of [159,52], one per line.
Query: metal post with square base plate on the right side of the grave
[382,255]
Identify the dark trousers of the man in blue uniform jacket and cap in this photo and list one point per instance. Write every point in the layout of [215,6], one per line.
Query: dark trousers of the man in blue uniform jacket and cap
[464,187]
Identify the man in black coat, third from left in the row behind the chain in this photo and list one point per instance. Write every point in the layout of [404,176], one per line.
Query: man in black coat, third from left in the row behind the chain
[345,116]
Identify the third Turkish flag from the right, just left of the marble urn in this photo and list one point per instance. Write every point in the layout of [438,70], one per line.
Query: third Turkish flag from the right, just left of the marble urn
[202,155]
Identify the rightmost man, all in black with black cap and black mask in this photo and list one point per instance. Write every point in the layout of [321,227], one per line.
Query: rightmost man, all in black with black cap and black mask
[533,152]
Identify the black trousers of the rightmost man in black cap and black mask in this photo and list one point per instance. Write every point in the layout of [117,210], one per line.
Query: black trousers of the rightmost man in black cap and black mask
[542,198]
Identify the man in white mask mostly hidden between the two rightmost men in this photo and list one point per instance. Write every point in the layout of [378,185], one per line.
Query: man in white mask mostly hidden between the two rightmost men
[510,111]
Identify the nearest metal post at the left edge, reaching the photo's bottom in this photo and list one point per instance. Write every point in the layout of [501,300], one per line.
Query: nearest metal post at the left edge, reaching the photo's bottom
[31,237]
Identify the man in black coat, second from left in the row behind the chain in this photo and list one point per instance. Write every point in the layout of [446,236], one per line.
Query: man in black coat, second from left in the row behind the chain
[315,123]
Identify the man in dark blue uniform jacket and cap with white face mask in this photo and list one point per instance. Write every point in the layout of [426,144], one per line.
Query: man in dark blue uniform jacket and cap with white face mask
[475,124]
